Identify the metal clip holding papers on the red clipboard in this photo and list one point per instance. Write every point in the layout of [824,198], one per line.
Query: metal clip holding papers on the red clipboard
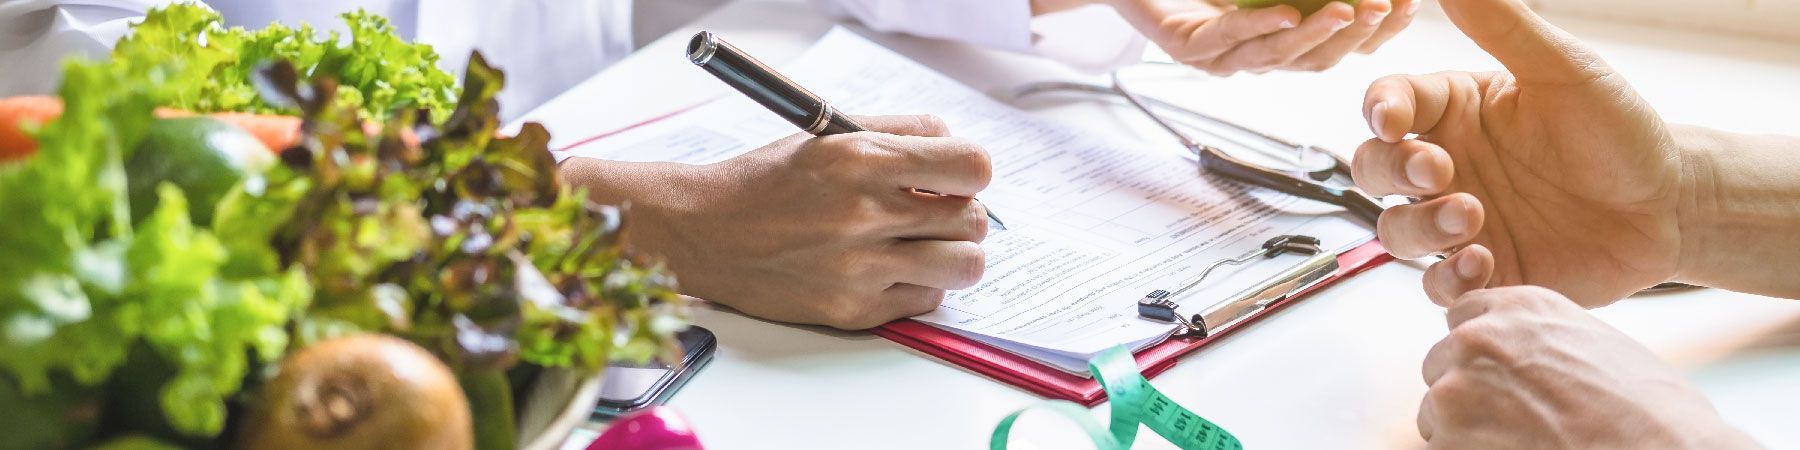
[1162,307]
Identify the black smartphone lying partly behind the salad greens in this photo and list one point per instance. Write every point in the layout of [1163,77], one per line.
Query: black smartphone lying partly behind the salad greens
[629,388]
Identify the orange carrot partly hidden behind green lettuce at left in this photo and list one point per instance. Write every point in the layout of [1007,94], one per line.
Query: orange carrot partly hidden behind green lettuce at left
[276,132]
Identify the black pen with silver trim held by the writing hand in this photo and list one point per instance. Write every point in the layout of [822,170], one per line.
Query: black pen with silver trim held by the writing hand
[768,87]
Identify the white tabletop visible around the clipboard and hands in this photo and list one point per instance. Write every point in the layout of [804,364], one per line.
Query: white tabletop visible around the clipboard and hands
[1336,372]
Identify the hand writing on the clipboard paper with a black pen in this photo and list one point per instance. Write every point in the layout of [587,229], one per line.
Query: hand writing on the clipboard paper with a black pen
[845,229]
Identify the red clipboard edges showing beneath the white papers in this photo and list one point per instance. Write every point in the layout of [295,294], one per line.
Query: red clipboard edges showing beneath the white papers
[1057,384]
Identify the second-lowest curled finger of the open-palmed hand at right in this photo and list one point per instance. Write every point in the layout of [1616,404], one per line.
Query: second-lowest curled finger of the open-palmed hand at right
[1432,226]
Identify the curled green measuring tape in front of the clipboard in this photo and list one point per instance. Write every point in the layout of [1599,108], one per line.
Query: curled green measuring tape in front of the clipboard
[1135,402]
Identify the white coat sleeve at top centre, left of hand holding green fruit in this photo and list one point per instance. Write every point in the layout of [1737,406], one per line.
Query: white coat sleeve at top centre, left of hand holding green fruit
[1090,39]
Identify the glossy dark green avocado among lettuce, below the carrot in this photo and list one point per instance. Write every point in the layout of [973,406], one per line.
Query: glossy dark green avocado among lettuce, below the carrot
[201,156]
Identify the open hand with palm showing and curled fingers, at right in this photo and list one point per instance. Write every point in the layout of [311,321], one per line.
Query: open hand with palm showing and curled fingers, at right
[1552,174]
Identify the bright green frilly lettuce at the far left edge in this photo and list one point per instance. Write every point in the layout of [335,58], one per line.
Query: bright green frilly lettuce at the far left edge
[82,285]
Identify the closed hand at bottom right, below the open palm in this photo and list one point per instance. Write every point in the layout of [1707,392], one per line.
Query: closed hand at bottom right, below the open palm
[1525,368]
